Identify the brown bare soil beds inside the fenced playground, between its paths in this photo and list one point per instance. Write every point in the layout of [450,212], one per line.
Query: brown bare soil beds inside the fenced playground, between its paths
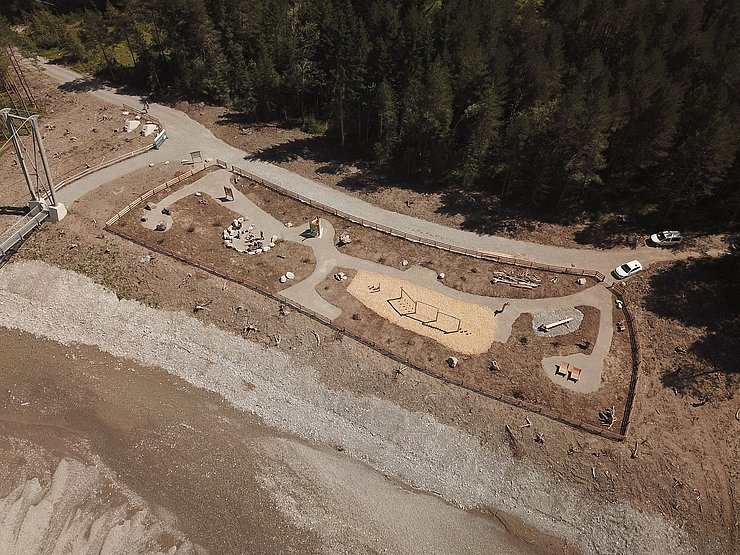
[196,236]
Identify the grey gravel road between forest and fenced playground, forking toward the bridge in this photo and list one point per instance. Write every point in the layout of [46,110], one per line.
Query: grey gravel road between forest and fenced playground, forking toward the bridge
[186,135]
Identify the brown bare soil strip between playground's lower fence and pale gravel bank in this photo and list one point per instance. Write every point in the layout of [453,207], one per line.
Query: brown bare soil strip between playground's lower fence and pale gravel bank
[660,420]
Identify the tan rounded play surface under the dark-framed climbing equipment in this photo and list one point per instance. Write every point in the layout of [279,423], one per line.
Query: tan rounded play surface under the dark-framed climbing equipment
[463,327]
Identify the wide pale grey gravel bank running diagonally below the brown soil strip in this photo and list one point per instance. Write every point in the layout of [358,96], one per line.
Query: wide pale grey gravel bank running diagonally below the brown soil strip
[412,447]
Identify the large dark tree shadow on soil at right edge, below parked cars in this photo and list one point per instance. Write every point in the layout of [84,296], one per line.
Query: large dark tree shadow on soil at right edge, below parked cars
[702,293]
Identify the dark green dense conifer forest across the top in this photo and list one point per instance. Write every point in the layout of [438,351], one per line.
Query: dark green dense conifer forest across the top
[562,106]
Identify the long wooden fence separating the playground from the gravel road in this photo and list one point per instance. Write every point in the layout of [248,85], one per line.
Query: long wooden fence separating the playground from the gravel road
[598,276]
